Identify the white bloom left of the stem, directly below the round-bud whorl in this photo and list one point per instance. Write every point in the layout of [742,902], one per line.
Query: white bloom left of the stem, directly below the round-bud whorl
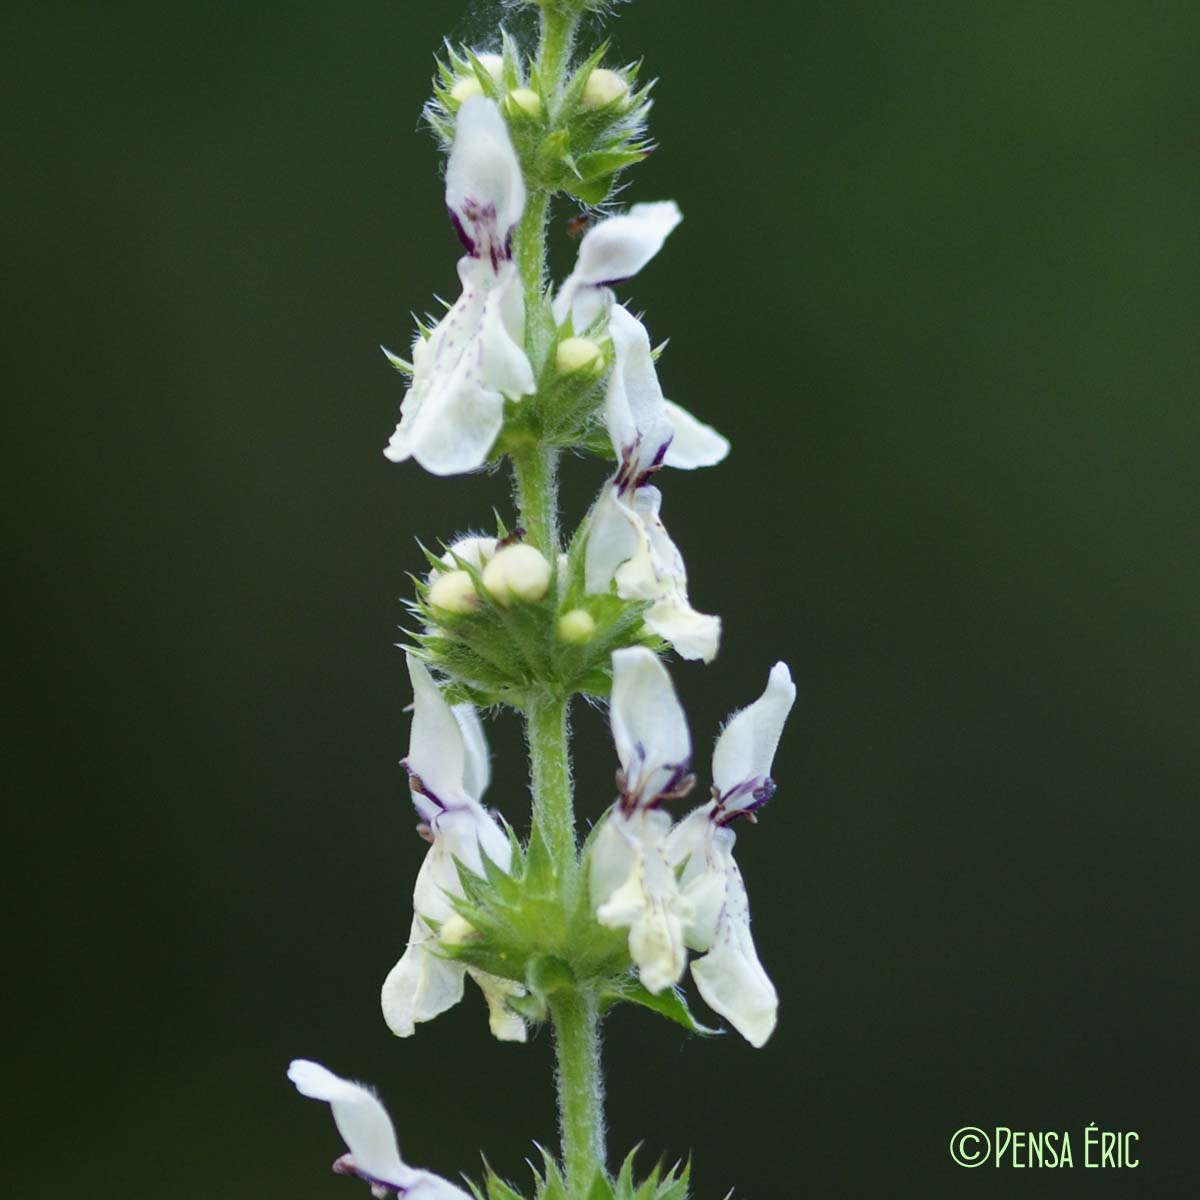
[448,773]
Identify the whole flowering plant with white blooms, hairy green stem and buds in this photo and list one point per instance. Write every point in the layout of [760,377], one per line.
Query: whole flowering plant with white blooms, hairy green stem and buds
[520,371]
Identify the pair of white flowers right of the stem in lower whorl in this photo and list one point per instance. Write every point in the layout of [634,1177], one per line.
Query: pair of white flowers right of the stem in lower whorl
[676,887]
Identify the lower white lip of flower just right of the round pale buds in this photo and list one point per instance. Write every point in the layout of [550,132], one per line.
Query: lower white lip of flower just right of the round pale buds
[631,550]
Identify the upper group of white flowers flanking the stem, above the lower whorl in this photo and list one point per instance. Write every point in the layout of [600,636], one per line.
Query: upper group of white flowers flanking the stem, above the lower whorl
[475,361]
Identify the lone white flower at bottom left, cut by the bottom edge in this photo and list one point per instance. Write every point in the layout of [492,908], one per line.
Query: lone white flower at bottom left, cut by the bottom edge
[368,1132]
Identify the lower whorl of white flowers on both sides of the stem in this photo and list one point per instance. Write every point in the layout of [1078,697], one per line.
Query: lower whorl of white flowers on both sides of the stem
[674,887]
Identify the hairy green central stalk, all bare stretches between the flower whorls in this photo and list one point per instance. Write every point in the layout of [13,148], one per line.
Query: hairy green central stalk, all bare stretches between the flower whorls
[574,1012]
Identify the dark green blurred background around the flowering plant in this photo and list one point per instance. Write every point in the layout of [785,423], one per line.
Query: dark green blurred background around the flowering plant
[940,283]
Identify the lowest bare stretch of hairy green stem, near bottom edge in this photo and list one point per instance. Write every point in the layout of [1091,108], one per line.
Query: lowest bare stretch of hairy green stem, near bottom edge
[580,1088]
